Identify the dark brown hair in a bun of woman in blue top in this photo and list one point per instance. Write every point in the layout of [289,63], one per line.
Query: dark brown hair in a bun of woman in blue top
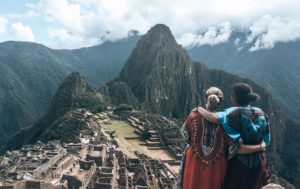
[243,94]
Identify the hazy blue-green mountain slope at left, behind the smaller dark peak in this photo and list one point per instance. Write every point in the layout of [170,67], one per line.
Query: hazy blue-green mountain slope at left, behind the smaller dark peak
[31,73]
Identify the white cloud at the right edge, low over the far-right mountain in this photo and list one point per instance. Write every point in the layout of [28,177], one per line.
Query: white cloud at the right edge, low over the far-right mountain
[268,31]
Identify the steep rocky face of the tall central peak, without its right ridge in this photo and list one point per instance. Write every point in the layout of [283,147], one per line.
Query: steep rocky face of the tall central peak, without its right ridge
[160,74]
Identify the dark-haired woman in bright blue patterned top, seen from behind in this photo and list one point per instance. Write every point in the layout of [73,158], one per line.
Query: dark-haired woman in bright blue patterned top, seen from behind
[247,124]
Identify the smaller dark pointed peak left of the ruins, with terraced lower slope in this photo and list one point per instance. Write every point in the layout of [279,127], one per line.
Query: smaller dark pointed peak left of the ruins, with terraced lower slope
[74,93]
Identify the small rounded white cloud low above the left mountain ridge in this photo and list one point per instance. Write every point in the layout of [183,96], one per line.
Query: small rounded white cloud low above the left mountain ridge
[22,32]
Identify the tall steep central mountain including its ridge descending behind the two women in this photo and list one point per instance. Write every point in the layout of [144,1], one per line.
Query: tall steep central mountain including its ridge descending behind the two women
[164,80]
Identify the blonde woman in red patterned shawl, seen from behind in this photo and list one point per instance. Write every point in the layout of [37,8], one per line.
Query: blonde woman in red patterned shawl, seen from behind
[205,161]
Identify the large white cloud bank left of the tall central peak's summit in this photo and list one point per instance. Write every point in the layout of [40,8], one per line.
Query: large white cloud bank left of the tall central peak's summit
[85,22]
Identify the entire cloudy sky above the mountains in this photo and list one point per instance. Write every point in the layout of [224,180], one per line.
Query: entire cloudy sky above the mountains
[80,23]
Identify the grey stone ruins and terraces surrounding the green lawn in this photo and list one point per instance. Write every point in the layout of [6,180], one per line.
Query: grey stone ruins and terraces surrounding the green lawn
[97,161]
